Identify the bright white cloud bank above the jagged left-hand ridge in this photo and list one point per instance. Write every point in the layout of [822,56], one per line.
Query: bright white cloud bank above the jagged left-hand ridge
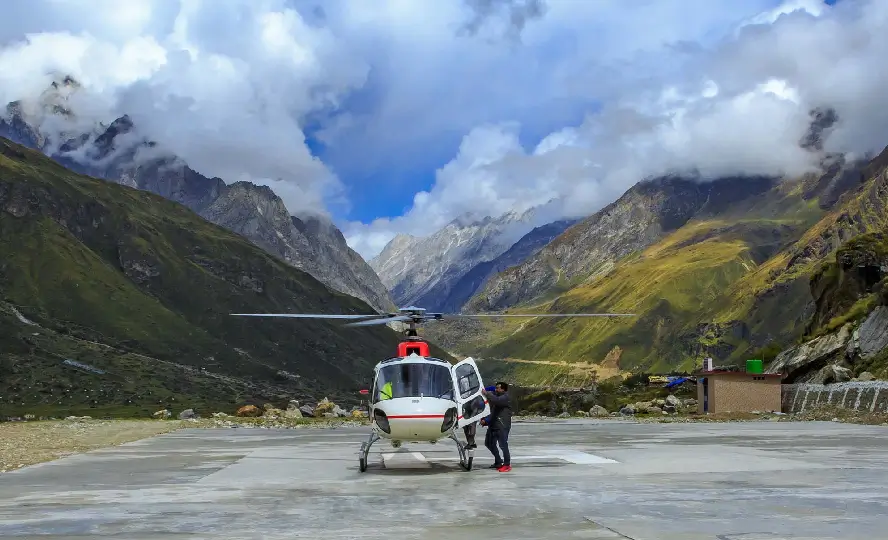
[224,85]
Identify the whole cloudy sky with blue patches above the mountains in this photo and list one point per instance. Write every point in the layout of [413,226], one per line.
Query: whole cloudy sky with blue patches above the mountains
[397,116]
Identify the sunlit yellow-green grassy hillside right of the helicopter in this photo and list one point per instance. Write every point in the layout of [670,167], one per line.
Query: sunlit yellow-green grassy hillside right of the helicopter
[668,286]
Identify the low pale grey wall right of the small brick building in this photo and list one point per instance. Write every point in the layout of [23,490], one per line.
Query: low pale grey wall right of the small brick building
[871,396]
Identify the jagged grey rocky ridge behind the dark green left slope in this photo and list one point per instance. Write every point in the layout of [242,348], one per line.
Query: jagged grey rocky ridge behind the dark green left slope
[118,153]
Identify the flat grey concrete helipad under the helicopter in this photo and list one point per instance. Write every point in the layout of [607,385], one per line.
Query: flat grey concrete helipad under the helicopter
[572,479]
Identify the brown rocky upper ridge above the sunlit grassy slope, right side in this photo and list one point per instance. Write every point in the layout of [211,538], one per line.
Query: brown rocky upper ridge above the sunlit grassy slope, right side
[645,214]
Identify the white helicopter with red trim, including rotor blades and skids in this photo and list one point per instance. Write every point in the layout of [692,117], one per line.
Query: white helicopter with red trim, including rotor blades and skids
[417,398]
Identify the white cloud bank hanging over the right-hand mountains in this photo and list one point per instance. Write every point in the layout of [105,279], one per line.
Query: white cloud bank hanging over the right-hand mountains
[737,106]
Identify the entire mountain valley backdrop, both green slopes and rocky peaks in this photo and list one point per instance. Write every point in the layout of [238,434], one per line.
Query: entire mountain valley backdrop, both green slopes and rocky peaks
[730,268]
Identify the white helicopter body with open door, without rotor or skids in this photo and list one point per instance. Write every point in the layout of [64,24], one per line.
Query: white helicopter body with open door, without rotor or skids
[429,398]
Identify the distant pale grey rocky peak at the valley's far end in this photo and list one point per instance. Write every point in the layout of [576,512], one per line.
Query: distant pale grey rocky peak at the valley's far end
[423,271]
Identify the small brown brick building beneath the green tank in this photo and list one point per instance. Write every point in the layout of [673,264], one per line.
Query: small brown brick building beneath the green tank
[738,391]
